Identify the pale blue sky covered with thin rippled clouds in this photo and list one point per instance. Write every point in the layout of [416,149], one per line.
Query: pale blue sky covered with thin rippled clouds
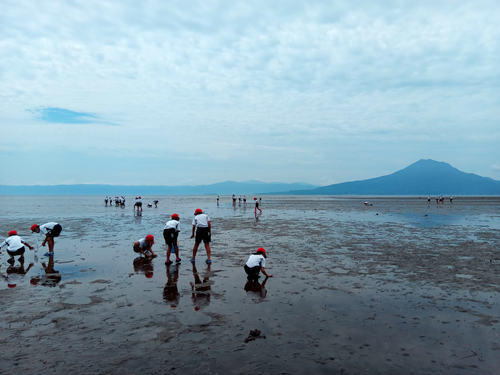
[198,92]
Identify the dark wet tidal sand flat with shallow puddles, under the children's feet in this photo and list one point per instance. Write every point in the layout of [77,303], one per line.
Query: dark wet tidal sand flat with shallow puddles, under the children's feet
[400,287]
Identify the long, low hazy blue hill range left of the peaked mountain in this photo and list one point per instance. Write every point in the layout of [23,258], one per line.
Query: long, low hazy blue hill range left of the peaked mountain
[221,188]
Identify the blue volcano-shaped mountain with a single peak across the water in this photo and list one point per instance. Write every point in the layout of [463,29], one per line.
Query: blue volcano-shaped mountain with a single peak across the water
[425,177]
